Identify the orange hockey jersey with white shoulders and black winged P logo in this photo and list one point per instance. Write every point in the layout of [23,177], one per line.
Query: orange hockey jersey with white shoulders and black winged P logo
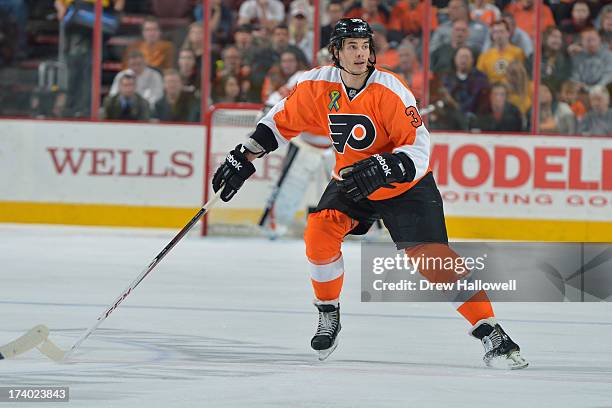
[382,117]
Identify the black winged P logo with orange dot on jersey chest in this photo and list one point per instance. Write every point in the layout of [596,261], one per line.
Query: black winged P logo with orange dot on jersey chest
[356,131]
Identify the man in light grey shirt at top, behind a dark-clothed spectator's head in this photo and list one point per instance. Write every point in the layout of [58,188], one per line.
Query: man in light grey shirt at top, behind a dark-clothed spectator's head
[458,10]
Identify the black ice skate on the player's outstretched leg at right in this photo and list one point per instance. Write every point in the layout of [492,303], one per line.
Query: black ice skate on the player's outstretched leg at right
[499,347]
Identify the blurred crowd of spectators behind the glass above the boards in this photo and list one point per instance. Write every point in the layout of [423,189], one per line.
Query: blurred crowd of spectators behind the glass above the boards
[482,68]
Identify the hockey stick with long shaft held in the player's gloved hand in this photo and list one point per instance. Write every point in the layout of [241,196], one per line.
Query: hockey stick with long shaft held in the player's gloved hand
[49,349]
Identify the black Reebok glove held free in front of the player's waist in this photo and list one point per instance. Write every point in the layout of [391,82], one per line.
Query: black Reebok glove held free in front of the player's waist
[379,170]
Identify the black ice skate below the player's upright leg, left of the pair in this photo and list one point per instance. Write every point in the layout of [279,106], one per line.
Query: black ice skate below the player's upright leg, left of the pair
[325,339]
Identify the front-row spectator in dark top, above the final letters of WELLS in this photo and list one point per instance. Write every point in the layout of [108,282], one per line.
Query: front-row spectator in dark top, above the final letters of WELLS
[176,104]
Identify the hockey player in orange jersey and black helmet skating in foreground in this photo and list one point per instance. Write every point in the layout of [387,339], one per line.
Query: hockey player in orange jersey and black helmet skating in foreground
[382,172]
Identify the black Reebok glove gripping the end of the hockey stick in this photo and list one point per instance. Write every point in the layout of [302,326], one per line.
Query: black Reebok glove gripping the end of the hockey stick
[232,174]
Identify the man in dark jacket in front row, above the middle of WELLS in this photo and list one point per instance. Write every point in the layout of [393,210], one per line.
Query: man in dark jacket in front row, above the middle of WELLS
[126,104]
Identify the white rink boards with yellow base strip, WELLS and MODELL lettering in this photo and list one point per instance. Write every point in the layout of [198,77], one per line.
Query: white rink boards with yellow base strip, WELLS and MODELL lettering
[500,186]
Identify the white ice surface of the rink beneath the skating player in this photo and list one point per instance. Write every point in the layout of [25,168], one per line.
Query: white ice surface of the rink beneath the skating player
[225,322]
